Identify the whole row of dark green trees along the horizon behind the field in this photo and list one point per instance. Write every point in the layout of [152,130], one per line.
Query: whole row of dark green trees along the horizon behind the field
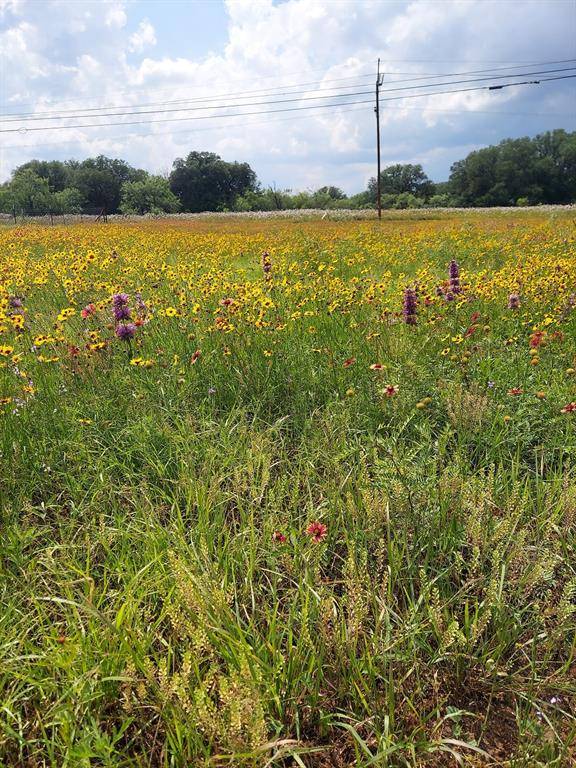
[525,171]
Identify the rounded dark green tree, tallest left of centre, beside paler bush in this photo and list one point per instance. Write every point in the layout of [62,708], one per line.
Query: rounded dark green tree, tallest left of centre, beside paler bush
[204,182]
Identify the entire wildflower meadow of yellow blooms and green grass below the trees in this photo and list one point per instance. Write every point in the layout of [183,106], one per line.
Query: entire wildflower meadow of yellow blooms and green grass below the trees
[281,493]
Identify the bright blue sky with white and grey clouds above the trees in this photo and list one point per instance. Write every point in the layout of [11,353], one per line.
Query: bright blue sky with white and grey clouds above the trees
[74,63]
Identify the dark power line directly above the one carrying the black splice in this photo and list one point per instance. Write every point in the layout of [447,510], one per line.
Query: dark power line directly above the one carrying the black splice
[299,98]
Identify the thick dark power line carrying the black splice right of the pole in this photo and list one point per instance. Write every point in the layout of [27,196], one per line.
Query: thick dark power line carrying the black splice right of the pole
[285,109]
